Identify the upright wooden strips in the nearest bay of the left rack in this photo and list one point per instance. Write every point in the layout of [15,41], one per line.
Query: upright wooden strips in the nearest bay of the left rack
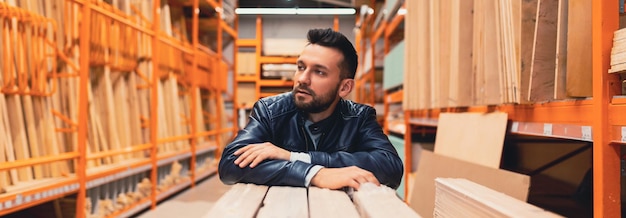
[31,94]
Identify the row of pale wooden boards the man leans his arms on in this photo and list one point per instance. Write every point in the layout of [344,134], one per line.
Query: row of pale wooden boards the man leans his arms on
[250,200]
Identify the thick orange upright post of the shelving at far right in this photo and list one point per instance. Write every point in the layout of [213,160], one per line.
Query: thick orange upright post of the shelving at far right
[606,157]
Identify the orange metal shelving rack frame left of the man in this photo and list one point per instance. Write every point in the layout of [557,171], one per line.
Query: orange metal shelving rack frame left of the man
[83,179]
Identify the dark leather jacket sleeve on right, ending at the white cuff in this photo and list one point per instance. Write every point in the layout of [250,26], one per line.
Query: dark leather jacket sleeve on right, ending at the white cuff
[373,152]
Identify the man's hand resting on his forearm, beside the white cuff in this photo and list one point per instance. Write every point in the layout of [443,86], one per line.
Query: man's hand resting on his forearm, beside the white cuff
[253,154]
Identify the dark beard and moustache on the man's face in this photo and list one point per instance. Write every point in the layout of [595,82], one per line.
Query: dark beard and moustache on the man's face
[318,103]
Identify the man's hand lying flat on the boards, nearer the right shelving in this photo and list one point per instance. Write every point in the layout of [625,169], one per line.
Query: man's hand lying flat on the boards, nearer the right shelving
[336,178]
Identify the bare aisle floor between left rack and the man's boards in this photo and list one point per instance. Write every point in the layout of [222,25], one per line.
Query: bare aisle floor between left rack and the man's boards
[193,202]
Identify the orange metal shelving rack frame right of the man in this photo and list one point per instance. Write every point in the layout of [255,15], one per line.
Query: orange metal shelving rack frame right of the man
[597,119]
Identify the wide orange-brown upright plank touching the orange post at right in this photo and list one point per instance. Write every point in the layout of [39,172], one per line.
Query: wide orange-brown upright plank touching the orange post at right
[578,82]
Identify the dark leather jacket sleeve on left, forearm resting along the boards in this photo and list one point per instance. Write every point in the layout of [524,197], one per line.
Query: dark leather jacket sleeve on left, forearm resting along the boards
[268,172]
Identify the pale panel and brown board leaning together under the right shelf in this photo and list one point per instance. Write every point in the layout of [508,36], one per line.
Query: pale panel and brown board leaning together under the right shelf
[469,146]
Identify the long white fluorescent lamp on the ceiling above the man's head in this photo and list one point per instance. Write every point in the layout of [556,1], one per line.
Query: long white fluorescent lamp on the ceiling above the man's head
[307,11]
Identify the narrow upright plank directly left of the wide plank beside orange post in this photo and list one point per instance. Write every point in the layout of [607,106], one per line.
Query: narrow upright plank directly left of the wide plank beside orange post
[560,71]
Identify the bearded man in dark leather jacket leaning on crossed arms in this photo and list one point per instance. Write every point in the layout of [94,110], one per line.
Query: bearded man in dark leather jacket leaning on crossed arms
[312,135]
